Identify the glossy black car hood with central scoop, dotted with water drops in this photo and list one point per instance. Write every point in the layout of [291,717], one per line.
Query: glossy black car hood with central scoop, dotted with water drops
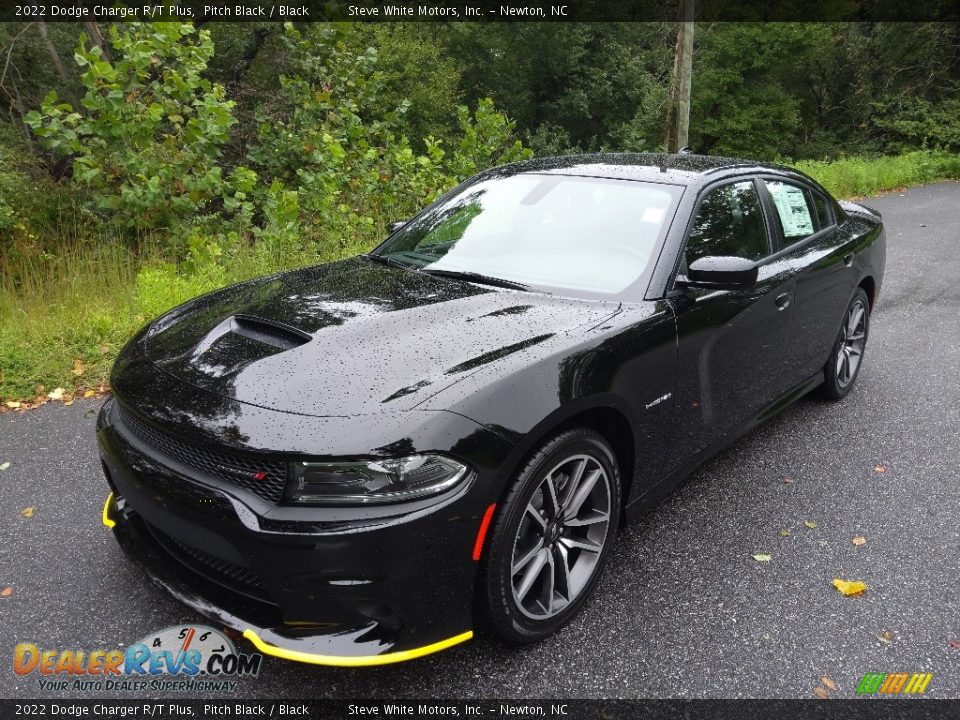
[353,337]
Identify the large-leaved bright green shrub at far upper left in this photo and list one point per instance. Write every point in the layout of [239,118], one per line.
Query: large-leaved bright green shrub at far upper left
[146,138]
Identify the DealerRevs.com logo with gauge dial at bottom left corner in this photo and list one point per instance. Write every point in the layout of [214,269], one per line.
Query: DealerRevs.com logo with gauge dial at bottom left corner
[182,657]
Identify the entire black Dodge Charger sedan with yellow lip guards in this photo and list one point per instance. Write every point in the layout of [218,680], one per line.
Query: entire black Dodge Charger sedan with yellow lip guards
[360,462]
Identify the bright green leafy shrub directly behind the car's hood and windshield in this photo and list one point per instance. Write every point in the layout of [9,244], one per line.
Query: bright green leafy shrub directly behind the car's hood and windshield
[332,139]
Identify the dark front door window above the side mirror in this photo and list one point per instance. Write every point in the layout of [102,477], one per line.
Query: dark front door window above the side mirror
[729,222]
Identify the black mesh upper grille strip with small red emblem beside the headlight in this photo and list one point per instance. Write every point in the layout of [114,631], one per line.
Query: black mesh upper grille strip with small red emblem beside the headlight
[236,469]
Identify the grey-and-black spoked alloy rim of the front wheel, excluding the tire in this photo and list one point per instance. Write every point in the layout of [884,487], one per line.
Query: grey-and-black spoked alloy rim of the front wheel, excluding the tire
[560,537]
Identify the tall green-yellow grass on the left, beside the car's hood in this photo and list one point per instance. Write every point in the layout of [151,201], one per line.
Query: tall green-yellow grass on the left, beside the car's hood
[84,302]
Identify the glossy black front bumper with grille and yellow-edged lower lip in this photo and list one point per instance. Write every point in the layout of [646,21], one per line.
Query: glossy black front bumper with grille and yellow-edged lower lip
[327,590]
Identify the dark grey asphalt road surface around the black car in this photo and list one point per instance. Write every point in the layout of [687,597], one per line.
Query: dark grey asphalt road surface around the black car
[683,609]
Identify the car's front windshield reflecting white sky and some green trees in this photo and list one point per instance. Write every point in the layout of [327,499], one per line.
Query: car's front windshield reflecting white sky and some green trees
[592,235]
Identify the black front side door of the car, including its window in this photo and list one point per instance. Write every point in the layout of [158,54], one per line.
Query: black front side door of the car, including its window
[731,343]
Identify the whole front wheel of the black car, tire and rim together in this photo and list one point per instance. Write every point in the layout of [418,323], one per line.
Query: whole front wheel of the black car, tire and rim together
[551,538]
